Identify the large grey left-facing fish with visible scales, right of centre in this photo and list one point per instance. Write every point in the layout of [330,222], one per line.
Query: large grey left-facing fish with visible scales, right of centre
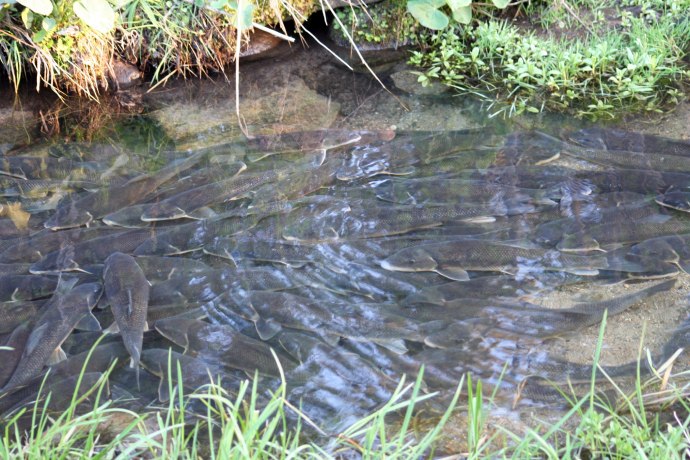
[454,258]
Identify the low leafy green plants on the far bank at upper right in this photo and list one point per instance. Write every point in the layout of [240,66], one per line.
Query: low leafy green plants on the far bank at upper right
[637,68]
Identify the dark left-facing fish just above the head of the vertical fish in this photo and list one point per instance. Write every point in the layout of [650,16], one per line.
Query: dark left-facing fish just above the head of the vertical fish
[74,257]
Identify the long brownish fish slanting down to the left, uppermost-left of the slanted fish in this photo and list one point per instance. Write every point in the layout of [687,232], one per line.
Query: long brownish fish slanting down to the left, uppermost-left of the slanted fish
[84,210]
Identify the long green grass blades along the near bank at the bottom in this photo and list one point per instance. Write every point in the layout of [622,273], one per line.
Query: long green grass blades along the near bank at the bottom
[644,425]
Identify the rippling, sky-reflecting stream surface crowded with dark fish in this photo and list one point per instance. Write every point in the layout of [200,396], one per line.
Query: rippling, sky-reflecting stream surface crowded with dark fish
[357,256]
